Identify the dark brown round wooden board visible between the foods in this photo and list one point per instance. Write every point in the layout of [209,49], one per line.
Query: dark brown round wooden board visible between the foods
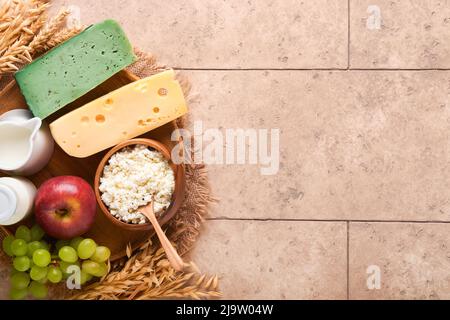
[103,231]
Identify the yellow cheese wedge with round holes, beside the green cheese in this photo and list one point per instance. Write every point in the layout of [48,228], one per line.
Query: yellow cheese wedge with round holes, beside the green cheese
[120,115]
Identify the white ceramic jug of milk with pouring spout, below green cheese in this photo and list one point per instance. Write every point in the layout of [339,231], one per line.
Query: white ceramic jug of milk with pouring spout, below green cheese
[26,144]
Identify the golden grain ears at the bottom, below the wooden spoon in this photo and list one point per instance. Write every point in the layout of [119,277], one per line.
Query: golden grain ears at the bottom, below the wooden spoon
[148,275]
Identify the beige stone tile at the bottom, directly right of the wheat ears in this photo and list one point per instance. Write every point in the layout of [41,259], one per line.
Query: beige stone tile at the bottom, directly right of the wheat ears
[275,260]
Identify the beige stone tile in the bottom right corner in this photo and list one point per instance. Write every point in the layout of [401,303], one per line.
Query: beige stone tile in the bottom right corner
[414,260]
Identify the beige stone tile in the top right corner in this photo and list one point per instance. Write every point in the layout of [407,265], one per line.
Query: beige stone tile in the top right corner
[413,34]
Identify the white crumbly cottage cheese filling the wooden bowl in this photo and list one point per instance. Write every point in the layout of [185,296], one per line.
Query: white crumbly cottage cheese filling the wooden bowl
[133,178]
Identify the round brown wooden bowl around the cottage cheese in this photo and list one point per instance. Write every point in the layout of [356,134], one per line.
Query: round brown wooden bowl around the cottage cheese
[177,196]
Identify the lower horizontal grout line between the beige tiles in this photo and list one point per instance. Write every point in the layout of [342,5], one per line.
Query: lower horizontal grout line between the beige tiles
[327,220]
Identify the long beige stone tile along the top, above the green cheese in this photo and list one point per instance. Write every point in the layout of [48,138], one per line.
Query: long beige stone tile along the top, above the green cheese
[231,34]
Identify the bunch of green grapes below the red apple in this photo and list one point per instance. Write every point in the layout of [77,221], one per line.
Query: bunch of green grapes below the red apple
[35,264]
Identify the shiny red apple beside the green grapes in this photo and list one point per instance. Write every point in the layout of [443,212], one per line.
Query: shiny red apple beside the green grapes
[65,207]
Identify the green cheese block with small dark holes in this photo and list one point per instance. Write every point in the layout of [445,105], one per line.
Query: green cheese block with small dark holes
[75,67]
